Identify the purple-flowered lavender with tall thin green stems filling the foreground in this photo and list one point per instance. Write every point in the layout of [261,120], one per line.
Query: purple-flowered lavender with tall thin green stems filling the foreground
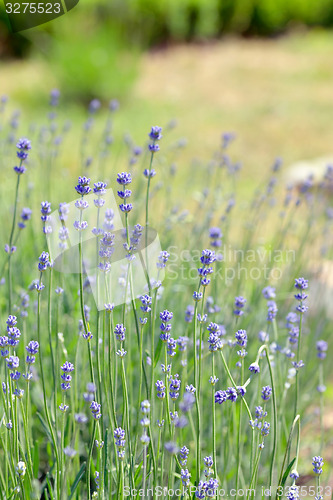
[197,383]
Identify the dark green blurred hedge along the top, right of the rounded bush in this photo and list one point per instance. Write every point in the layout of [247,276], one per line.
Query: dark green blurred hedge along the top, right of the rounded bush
[150,22]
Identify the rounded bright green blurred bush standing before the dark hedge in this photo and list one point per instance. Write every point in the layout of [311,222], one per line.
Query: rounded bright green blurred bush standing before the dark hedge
[91,56]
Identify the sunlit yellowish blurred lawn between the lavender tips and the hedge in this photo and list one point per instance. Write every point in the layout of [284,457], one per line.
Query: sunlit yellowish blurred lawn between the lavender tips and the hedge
[275,94]
